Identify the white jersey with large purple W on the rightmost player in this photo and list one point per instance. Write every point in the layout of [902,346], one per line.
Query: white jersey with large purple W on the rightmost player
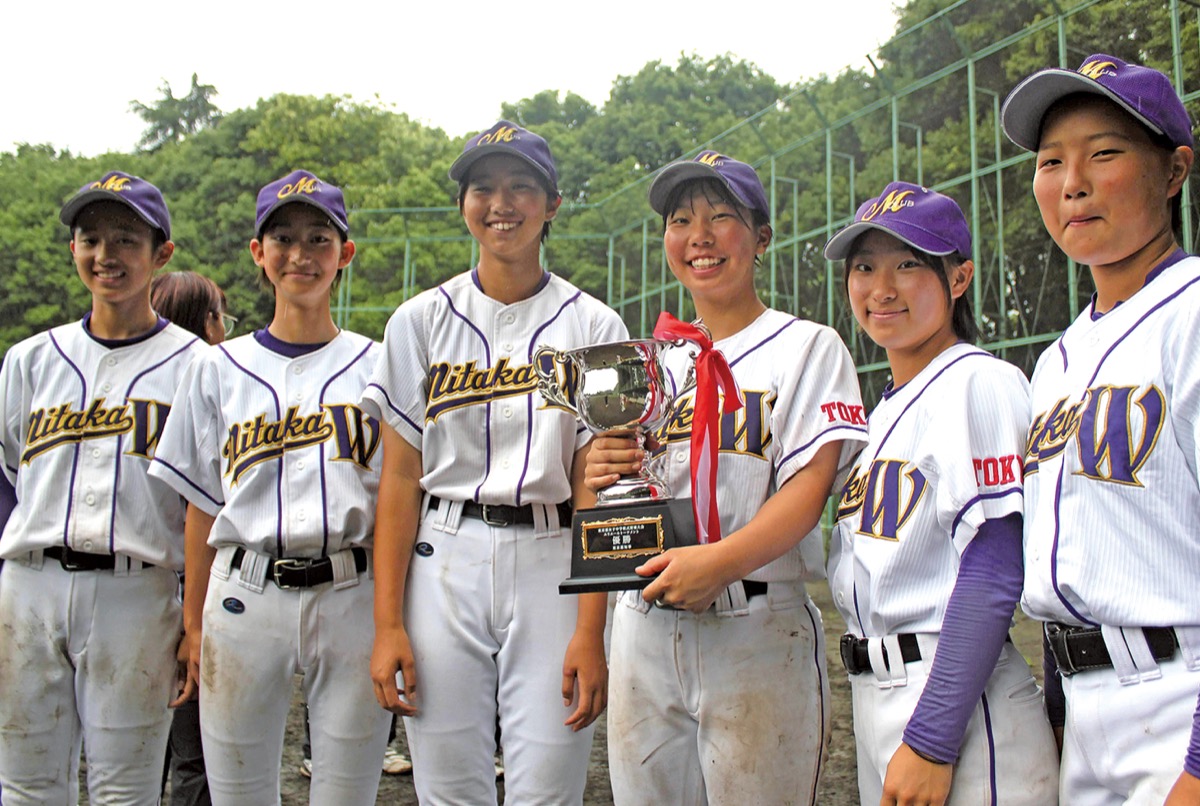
[1112,465]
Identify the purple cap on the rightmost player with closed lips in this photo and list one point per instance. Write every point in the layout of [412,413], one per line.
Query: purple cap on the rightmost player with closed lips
[1143,92]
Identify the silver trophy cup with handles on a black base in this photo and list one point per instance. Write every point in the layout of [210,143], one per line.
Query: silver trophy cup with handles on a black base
[619,387]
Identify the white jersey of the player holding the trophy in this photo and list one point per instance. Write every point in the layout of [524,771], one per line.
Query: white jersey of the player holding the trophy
[801,392]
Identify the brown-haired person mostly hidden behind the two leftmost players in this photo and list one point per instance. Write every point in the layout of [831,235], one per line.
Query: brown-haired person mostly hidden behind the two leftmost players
[197,305]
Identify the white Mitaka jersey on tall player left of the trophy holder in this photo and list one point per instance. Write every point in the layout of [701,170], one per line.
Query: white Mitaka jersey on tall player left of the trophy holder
[457,382]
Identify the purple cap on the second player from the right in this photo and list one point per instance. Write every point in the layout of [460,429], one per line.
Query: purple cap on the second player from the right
[923,219]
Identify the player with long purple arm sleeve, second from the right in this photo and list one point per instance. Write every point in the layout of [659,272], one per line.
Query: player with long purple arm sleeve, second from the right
[926,560]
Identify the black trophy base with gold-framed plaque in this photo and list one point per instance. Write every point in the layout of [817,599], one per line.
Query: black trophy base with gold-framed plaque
[610,542]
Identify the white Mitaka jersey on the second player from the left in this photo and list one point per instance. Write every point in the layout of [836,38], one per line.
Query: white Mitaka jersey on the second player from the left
[277,448]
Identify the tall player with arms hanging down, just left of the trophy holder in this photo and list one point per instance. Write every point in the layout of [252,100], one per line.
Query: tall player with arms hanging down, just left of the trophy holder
[476,504]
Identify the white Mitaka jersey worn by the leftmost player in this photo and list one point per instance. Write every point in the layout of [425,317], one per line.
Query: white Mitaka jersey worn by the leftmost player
[81,424]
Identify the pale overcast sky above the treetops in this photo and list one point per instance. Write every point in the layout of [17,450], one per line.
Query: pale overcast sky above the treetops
[71,69]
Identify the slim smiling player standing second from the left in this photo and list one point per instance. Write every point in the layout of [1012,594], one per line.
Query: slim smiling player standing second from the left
[280,468]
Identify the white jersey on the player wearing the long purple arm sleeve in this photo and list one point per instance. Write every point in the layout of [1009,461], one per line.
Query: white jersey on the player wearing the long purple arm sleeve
[944,456]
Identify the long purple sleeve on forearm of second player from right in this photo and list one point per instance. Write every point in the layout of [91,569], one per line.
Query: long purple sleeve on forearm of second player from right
[974,633]
